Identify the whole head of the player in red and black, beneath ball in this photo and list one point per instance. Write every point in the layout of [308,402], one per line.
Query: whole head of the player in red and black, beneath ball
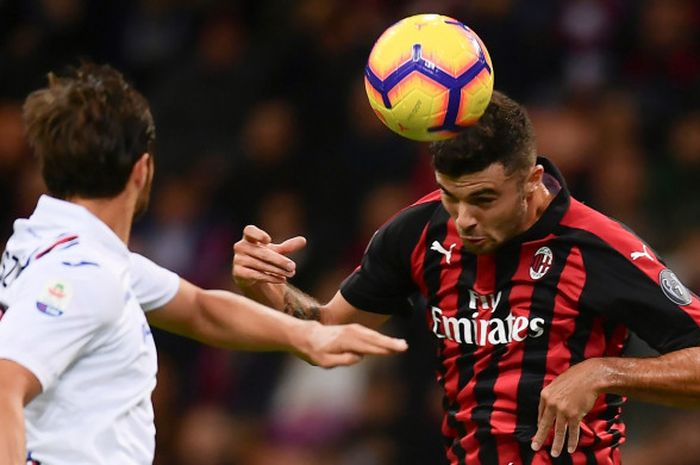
[488,175]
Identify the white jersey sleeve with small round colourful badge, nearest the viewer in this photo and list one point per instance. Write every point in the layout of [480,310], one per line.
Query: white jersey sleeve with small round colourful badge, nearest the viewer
[55,312]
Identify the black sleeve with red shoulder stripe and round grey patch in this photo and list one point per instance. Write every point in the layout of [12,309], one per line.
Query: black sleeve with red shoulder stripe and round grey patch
[638,290]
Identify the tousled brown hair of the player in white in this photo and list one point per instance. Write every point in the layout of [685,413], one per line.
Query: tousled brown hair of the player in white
[88,128]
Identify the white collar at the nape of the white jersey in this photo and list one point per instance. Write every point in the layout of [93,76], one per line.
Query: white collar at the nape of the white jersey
[61,214]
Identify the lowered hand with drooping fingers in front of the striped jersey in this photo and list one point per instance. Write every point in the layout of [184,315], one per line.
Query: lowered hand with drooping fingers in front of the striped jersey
[564,403]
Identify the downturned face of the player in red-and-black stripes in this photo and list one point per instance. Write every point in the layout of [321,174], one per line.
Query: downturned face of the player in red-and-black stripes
[489,207]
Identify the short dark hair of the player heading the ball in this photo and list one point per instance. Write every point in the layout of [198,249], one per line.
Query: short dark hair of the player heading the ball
[503,135]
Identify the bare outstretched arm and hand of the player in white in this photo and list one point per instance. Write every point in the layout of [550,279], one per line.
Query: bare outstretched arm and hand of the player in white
[228,320]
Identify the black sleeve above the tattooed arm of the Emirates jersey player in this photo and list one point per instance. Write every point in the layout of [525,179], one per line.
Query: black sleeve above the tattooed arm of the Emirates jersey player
[383,282]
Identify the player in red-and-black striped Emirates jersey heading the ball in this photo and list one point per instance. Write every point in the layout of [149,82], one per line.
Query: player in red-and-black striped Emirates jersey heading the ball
[529,293]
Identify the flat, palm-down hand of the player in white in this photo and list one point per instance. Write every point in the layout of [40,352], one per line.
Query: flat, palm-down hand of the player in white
[340,345]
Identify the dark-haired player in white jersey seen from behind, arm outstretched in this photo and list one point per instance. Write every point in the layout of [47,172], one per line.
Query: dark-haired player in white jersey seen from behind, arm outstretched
[77,359]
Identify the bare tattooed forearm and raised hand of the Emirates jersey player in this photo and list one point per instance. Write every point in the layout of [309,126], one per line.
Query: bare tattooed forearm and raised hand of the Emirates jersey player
[261,269]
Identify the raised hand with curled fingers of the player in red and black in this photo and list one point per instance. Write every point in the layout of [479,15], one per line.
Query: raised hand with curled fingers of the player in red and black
[257,259]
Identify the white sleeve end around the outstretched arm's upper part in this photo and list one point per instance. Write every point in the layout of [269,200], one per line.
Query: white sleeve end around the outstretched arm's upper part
[153,285]
